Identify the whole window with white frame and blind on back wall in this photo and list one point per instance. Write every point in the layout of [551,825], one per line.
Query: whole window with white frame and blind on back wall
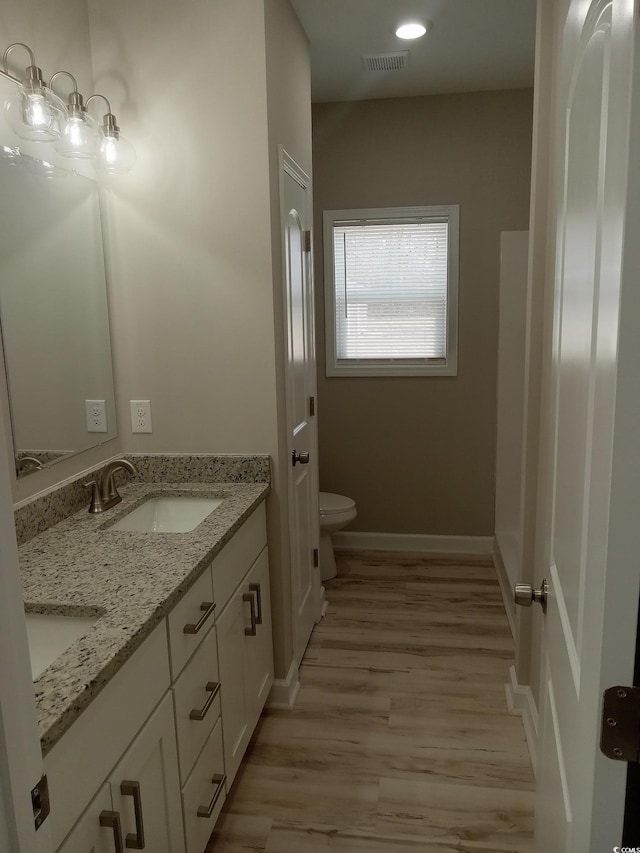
[391,291]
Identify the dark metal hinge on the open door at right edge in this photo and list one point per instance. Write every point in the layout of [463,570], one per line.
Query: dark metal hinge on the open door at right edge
[620,737]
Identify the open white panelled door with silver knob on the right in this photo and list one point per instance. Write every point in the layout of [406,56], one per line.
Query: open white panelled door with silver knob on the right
[588,538]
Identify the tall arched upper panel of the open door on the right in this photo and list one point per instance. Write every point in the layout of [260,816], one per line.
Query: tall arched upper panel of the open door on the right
[577,320]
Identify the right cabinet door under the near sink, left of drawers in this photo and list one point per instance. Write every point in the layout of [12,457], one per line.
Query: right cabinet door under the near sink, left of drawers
[145,786]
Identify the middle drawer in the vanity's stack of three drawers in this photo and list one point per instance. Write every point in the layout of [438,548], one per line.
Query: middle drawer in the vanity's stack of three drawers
[197,694]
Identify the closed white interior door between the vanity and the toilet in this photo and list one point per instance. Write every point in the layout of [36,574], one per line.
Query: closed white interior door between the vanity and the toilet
[301,393]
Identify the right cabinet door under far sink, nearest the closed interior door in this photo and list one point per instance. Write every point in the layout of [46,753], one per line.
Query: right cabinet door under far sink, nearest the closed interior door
[259,648]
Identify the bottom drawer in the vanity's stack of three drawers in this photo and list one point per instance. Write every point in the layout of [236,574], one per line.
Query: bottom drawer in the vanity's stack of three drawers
[204,794]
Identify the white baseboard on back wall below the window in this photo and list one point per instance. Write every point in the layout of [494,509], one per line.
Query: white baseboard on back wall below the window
[422,542]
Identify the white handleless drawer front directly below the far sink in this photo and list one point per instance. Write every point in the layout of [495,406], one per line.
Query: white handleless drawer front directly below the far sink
[237,557]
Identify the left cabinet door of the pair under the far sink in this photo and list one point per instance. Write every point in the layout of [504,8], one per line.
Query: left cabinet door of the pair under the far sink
[233,678]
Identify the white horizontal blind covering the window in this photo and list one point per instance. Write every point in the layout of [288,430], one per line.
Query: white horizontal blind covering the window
[390,281]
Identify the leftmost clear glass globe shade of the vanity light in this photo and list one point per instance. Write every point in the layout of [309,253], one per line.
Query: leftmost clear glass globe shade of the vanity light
[36,114]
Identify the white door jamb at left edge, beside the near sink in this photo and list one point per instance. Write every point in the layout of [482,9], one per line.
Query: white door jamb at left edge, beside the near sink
[20,755]
